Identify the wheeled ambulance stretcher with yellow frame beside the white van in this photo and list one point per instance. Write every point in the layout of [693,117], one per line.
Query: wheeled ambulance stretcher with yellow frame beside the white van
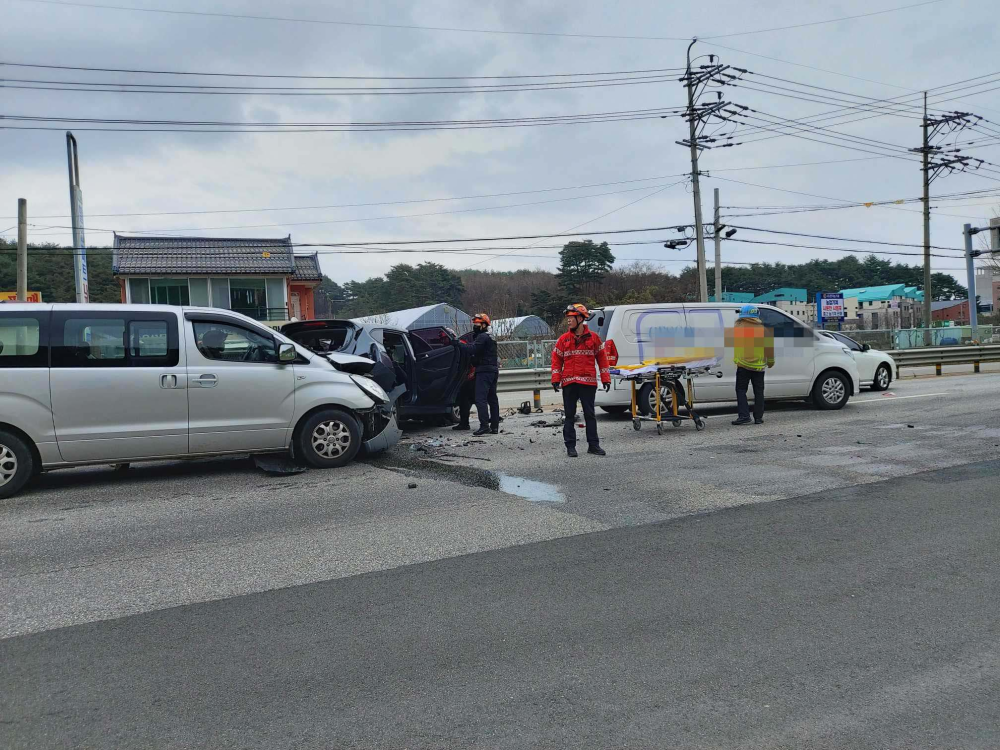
[667,375]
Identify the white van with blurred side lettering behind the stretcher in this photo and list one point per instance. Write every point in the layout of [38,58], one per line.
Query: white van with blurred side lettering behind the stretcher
[806,365]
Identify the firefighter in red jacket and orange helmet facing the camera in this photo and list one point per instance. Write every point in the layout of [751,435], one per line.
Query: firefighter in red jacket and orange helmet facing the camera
[577,359]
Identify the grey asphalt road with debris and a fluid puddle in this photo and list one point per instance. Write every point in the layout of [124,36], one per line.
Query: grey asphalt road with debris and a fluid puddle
[825,580]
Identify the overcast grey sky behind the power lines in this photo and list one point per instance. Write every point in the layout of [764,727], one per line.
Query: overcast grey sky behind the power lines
[899,52]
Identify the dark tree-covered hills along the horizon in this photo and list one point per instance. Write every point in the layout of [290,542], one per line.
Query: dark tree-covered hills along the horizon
[586,273]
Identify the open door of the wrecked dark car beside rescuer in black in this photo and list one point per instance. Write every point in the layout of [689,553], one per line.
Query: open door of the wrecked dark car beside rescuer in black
[440,367]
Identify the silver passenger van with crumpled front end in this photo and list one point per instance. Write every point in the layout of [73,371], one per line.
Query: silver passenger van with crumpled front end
[112,384]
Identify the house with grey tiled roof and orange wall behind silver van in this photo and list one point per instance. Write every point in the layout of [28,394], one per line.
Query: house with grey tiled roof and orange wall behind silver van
[262,278]
